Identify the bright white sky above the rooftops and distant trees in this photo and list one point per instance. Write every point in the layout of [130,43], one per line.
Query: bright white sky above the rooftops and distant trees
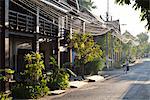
[129,18]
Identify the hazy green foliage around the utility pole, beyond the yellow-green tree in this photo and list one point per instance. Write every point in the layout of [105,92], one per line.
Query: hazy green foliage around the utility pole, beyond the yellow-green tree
[114,47]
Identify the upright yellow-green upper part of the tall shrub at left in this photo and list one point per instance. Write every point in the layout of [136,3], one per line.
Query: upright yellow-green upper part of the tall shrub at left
[34,66]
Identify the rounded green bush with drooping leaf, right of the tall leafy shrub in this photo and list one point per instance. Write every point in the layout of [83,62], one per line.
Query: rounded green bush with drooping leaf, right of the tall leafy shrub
[58,77]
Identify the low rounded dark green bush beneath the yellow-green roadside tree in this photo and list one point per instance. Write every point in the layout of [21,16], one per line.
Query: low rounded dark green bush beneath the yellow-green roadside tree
[94,66]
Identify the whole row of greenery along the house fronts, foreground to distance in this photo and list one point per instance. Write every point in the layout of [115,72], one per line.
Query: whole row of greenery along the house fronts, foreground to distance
[35,82]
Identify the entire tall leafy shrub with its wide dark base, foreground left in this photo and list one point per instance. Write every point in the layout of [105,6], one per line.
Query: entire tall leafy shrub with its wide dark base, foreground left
[34,84]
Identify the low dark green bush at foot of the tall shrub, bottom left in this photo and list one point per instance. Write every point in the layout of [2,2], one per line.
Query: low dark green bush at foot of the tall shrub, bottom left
[23,91]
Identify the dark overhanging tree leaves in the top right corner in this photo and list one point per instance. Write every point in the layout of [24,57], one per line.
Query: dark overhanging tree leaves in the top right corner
[143,5]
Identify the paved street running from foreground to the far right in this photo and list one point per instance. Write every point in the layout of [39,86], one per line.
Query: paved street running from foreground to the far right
[134,85]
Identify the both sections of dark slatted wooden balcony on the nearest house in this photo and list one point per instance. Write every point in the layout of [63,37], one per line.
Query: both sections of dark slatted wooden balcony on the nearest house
[26,23]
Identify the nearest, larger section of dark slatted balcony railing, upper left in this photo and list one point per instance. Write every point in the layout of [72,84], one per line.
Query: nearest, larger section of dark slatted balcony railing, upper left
[23,22]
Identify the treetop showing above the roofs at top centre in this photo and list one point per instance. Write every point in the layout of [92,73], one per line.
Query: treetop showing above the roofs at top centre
[86,4]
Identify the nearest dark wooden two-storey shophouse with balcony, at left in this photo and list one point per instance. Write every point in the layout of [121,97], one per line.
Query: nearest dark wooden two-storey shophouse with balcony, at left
[35,25]
